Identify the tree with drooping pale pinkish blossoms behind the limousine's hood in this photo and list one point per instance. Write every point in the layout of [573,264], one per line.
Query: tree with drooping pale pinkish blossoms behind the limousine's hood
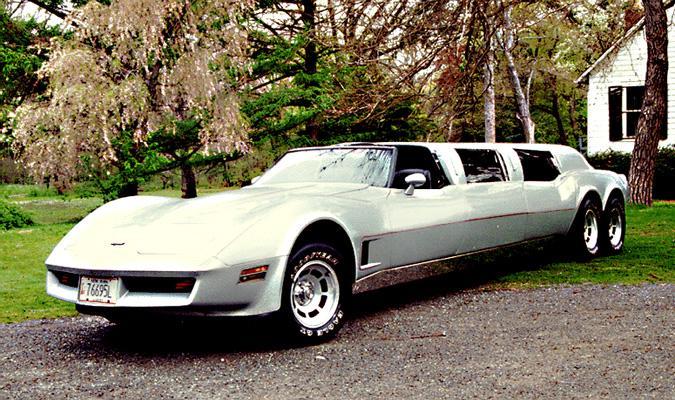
[128,82]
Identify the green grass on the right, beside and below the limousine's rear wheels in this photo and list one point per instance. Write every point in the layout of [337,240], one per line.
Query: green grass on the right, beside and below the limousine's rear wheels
[648,256]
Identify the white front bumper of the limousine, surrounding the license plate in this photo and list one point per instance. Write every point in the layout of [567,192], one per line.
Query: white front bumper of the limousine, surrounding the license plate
[217,290]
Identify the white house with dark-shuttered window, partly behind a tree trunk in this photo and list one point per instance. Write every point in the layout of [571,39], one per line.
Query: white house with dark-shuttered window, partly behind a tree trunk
[616,88]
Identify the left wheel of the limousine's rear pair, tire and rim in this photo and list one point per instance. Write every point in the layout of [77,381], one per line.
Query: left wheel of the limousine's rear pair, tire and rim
[585,235]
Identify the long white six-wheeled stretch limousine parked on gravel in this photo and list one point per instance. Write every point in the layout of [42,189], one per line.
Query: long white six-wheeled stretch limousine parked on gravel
[296,241]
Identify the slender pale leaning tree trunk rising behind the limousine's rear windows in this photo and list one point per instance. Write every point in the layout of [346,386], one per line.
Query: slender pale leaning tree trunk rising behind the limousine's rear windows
[523,108]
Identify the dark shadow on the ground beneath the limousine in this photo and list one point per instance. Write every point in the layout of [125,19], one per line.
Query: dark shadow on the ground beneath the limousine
[247,335]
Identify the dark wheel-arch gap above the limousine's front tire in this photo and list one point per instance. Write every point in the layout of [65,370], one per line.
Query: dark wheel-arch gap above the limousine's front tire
[328,232]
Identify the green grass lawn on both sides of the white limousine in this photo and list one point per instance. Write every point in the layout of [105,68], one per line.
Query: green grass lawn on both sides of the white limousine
[649,255]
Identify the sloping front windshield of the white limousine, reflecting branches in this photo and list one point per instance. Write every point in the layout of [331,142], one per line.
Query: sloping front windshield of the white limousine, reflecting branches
[347,165]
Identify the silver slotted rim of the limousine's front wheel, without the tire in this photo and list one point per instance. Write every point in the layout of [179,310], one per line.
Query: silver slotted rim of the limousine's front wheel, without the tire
[315,294]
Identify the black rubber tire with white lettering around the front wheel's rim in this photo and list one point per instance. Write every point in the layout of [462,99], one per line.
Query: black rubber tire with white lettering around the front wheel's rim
[336,261]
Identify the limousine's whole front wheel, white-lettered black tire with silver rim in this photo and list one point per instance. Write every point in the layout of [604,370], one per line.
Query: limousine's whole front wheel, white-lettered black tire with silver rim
[315,292]
